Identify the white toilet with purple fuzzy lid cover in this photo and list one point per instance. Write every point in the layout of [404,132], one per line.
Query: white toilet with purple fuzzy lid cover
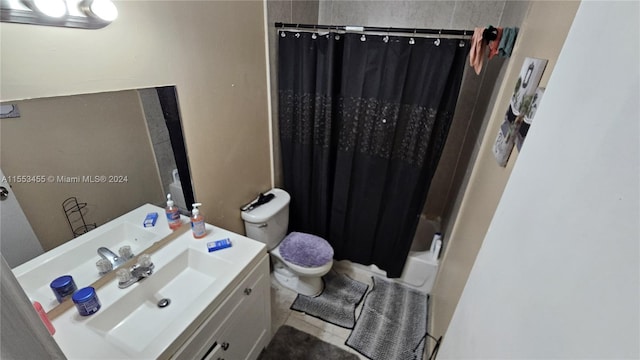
[299,259]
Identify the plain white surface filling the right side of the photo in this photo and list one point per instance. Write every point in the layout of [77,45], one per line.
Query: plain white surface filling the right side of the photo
[558,273]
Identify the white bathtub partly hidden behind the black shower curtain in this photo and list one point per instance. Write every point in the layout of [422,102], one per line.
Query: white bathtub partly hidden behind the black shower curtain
[420,269]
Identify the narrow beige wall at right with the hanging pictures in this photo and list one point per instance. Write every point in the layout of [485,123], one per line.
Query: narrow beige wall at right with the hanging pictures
[541,35]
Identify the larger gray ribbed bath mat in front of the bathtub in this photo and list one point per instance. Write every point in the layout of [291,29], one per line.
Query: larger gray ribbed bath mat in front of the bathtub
[392,324]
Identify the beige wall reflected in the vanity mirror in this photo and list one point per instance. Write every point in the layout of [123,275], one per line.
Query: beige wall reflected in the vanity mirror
[74,137]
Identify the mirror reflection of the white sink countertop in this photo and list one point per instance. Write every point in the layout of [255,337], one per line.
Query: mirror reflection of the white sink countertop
[78,257]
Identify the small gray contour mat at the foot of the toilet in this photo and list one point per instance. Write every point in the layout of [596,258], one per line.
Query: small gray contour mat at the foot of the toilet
[337,303]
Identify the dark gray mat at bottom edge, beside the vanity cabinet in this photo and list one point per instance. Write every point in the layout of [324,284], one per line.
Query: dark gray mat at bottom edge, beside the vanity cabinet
[292,344]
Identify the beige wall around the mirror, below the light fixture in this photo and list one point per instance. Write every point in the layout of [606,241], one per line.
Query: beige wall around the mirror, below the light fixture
[213,51]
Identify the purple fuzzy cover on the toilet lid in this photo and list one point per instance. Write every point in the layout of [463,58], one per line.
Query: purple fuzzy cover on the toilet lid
[306,250]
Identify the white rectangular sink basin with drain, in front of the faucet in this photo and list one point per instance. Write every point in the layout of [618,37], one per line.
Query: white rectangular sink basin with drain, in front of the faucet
[135,319]
